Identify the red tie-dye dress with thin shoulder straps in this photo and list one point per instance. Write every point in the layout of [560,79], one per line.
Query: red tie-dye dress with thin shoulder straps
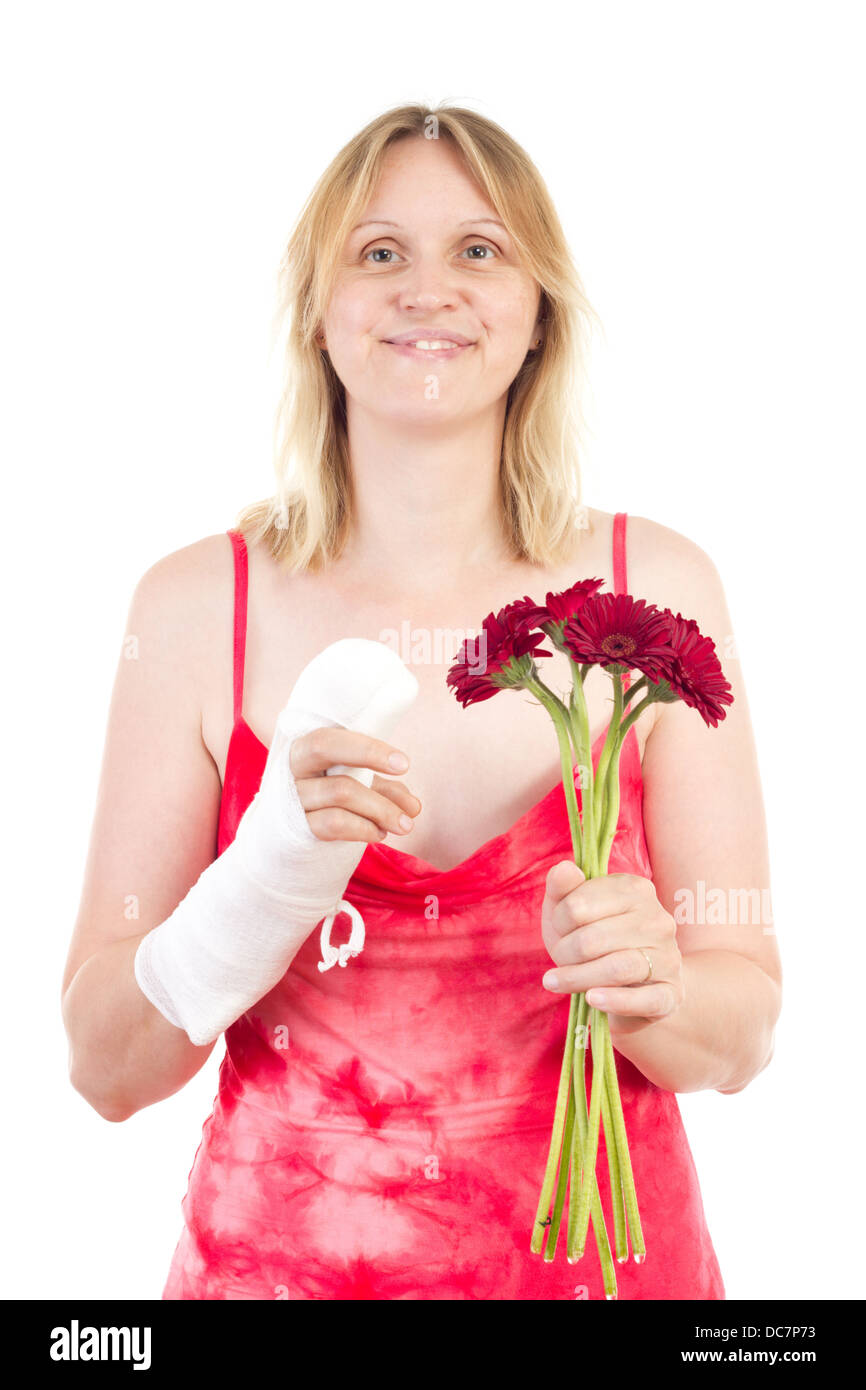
[382,1131]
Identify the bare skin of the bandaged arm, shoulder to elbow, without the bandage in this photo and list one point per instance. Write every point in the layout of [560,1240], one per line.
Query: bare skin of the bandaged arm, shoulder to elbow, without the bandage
[154,833]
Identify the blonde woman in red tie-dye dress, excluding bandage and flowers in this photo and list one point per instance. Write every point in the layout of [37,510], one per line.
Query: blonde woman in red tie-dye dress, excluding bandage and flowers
[382,1132]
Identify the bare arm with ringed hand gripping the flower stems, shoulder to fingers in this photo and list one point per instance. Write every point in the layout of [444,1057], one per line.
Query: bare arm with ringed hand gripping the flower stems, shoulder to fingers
[705,1018]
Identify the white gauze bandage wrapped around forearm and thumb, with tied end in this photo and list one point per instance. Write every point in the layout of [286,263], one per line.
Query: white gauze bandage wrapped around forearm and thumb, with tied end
[241,925]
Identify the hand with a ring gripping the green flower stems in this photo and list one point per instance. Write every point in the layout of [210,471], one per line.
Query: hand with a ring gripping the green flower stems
[597,932]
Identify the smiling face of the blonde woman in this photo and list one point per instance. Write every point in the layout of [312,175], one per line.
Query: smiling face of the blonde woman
[433,261]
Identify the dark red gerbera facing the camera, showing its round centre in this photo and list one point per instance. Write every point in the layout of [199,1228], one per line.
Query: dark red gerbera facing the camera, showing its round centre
[622,633]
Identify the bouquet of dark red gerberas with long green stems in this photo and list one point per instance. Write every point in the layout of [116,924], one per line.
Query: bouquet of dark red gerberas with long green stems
[621,635]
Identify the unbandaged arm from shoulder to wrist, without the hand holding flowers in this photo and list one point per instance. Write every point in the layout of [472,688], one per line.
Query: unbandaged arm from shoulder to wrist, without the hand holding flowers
[705,822]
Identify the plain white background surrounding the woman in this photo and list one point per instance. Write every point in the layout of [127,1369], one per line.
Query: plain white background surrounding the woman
[707,163]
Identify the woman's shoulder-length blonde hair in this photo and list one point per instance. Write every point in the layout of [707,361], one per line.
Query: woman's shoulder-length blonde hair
[307,522]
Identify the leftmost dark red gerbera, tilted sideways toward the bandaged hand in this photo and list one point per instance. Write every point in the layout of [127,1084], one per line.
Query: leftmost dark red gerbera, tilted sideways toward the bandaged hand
[501,657]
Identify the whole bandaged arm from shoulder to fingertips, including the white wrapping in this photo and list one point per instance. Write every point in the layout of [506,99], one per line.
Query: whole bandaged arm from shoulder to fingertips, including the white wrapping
[212,935]
